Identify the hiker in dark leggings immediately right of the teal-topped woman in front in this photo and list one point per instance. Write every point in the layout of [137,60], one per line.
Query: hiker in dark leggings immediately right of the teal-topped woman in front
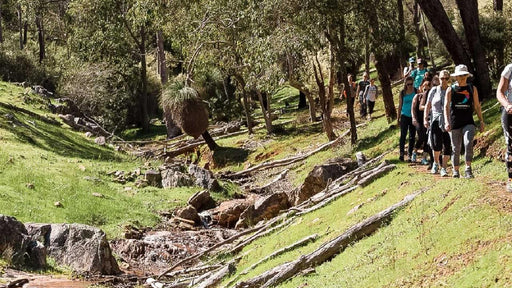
[417,109]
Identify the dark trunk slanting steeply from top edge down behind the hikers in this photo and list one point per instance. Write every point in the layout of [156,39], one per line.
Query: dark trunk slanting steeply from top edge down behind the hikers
[437,16]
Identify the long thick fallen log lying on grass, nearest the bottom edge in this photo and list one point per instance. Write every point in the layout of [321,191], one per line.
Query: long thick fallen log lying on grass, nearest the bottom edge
[328,250]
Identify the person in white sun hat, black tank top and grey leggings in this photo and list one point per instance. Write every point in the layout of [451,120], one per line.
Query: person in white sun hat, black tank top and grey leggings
[461,102]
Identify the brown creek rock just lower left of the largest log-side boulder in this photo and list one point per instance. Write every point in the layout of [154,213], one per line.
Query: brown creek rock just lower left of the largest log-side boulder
[264,208]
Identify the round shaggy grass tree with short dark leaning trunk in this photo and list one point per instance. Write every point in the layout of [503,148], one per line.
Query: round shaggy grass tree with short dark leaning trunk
[187,110]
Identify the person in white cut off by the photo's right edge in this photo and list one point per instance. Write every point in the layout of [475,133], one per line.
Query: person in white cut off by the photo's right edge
[504,95]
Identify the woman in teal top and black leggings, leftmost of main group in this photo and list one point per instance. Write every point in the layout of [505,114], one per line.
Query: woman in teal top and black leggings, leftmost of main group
[405,119]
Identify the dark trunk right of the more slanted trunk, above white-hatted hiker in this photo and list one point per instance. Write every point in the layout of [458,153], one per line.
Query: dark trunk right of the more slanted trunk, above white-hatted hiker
[469,14]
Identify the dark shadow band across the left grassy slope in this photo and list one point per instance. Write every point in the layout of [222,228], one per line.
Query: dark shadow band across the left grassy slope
[54,138]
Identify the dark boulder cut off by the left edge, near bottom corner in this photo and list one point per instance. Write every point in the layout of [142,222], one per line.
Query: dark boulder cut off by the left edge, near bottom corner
[13,240]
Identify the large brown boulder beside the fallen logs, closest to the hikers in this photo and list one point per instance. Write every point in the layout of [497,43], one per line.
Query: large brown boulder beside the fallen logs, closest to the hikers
[318,179]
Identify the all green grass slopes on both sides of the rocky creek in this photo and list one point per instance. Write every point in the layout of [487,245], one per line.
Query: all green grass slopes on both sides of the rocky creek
[457,234]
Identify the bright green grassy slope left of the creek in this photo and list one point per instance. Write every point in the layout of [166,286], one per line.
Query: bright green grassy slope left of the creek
[42,163]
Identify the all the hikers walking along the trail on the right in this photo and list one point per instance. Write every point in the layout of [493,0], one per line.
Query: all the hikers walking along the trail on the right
[439,109]
